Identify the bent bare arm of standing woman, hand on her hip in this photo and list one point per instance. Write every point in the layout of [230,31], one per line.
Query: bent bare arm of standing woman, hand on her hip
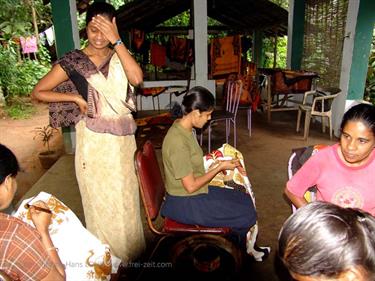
[43,91]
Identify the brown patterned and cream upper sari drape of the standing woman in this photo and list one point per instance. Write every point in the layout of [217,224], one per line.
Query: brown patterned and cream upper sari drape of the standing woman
[106,86]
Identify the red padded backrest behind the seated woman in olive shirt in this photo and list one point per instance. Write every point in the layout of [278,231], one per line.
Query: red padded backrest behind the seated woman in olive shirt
[150,180]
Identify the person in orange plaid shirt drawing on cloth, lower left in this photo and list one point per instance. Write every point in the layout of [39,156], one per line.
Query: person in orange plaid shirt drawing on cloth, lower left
[26,253]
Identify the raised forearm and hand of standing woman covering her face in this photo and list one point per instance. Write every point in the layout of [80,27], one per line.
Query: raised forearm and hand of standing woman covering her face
[132,69]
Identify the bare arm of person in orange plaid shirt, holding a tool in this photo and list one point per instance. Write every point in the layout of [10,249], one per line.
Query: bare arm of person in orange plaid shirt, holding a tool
[41,221]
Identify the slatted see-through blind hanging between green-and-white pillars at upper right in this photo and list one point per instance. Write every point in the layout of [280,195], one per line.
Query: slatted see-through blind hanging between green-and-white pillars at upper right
[324,37]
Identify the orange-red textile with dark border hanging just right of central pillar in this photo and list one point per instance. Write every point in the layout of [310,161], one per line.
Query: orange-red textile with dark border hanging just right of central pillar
[225,55]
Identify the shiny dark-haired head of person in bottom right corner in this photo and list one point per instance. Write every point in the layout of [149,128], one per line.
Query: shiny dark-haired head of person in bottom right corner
[323,241]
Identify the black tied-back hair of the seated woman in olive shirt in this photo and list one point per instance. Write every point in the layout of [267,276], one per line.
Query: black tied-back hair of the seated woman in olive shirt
[198,98]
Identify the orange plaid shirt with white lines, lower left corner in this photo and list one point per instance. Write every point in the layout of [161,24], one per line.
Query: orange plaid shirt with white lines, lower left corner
[22,254]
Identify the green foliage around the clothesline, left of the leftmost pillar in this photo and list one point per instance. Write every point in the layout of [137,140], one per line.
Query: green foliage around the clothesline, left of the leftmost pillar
[18,77]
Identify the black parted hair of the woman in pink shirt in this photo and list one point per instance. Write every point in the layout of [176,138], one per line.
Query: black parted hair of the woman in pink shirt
[364,113]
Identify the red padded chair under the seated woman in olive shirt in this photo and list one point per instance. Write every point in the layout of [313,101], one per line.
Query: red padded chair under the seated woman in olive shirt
[152,192]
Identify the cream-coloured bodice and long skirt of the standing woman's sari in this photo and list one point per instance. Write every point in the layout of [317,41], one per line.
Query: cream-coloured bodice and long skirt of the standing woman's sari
[105,169]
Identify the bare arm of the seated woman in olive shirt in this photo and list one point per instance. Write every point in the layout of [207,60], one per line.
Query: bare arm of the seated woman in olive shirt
[192,184]
